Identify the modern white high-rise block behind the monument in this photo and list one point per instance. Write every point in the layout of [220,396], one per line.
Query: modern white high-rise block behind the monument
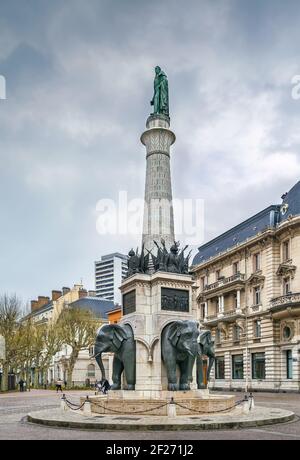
[110,270]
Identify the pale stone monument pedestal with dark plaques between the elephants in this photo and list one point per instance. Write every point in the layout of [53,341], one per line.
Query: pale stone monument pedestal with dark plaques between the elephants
[150,303]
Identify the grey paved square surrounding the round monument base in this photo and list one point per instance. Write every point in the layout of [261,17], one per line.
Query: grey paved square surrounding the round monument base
[15,406]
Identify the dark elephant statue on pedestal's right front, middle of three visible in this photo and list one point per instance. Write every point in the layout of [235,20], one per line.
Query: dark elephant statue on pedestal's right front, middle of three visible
[179,346]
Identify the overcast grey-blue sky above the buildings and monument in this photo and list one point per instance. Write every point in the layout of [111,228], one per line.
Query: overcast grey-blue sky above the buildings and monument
[79,79]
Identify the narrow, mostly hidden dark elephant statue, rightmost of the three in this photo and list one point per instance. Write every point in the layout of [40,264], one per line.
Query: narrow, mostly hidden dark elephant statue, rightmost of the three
[206,348]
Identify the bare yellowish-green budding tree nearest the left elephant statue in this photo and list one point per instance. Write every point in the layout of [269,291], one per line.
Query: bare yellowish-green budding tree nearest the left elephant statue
[78,328]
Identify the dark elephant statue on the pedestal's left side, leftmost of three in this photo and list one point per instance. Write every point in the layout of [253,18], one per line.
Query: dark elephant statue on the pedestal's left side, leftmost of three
[118,339]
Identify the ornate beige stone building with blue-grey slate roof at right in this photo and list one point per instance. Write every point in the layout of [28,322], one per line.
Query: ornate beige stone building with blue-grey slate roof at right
[248,294]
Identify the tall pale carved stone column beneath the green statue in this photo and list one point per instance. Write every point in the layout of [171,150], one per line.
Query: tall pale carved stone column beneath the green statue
[158,212]
